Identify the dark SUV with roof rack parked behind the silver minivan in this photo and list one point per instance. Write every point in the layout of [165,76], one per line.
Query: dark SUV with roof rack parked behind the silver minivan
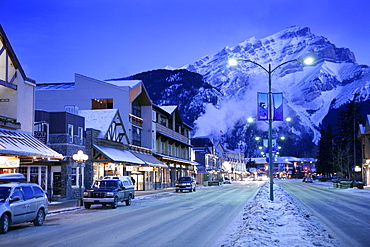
[110,191]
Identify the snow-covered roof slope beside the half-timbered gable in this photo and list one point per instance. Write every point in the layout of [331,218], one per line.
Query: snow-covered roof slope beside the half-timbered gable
[98,119]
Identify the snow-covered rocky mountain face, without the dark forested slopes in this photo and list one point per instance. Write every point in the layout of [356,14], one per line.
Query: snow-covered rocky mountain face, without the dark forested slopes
[309,91]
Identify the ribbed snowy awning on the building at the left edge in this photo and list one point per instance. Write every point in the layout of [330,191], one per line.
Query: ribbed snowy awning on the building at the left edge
[21,143]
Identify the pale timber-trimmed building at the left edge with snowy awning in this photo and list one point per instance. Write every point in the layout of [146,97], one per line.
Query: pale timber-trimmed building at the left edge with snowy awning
[20,151]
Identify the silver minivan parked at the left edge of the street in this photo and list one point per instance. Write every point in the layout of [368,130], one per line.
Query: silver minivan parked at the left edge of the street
[21,202]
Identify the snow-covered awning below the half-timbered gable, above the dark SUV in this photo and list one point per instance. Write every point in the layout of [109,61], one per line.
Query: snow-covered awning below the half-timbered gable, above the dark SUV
[119,155]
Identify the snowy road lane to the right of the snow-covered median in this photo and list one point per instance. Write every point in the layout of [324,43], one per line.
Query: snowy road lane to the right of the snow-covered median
[345,212]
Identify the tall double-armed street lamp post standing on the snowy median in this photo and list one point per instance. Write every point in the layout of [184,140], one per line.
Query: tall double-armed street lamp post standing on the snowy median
[269,71]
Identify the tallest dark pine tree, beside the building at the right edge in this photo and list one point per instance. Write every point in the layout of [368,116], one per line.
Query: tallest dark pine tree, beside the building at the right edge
[348,147]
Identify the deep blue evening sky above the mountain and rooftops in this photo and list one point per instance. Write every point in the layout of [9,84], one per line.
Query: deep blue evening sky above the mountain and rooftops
[114,38]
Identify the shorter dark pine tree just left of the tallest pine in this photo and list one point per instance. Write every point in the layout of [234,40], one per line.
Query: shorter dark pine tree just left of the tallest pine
[324,164]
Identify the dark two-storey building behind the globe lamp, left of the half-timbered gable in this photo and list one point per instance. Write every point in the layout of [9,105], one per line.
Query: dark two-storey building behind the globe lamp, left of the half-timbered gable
[64,133]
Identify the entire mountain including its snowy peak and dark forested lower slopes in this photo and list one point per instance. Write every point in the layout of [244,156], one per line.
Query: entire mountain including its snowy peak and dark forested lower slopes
[217,99]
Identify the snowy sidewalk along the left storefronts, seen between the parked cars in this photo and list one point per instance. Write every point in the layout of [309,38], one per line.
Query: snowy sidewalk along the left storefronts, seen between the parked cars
[69,205]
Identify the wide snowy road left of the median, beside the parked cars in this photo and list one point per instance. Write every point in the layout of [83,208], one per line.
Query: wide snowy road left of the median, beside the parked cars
[175,219]
